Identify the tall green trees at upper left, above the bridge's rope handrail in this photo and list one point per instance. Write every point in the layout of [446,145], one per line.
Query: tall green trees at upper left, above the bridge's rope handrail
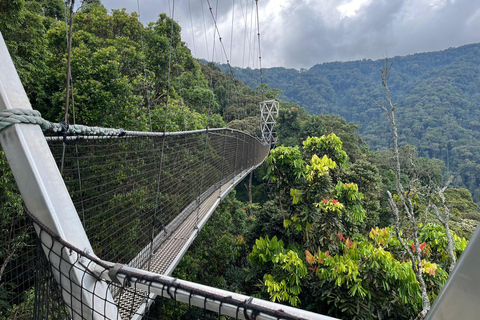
[118,80]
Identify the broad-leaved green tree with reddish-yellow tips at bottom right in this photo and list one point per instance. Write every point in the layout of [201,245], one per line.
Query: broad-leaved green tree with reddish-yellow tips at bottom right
[368,278]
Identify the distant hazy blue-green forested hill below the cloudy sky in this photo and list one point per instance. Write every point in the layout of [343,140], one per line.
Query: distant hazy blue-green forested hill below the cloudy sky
[438,96]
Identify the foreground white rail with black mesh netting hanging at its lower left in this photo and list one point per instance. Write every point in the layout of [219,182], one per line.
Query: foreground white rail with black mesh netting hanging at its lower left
[174,298]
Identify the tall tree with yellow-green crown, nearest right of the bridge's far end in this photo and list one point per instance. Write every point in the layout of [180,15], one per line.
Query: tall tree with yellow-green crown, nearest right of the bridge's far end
[314,207]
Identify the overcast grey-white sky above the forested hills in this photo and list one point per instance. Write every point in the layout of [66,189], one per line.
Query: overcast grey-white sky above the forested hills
[302,33]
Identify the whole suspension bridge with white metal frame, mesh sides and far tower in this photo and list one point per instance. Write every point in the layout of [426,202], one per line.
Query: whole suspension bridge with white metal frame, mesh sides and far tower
[114,211]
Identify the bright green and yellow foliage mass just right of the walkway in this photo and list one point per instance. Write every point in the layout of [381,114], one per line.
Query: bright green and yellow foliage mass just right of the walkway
[313,245]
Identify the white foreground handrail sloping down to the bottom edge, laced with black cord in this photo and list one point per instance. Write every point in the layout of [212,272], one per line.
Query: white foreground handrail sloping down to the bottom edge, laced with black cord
[122,276]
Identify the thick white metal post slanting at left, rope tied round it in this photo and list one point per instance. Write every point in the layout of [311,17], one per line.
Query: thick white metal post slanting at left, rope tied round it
[46,196]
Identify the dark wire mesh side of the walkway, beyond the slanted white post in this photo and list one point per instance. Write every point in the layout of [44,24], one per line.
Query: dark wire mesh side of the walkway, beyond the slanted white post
[131,189]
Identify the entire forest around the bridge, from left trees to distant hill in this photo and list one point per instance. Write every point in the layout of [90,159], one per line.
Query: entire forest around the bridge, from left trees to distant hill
[318,233]
